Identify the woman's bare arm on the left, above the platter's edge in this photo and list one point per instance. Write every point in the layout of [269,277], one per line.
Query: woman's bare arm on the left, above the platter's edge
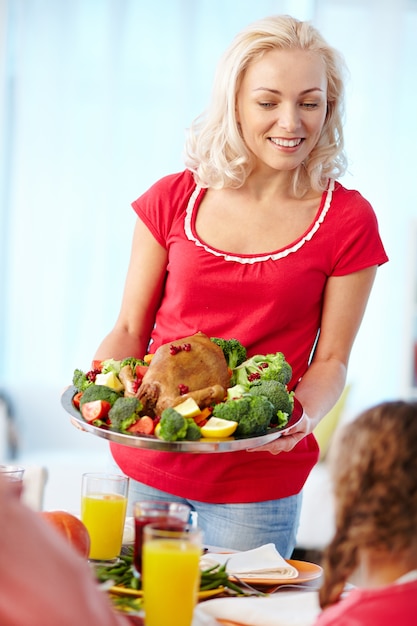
[142,294]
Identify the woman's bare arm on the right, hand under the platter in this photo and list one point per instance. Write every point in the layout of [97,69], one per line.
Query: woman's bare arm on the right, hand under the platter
[344,305]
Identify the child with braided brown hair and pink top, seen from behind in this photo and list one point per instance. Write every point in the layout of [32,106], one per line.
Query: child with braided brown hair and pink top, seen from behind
[374,471]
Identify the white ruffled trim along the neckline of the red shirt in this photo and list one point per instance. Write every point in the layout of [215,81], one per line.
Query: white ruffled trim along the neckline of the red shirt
[263,257]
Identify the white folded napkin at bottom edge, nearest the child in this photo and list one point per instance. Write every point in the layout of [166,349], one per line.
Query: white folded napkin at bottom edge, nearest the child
[292,608]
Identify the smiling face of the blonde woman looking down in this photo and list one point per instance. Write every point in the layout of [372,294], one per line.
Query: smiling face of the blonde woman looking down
[281,107]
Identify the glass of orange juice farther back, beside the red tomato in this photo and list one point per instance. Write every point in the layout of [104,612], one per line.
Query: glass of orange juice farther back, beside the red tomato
[103,511]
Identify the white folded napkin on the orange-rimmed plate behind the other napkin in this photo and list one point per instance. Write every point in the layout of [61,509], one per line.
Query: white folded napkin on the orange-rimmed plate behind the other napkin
[263,562]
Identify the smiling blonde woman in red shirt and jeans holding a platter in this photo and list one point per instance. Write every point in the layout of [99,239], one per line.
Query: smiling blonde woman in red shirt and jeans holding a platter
[255,240]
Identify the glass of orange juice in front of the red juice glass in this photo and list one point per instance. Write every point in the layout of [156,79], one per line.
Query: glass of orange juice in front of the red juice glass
[171,572]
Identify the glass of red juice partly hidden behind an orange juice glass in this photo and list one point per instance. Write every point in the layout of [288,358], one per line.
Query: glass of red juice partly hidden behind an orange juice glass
[151,511]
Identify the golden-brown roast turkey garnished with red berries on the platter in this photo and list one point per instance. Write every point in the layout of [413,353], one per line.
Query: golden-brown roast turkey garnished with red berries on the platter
[189,367]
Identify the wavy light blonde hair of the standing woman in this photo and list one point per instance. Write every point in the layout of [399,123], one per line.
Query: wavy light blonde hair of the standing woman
[215,151]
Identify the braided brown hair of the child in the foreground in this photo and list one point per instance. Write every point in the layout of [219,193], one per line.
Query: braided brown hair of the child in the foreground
[374,471]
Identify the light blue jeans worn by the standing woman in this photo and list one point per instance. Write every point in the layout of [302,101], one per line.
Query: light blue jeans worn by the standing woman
[237,526]
